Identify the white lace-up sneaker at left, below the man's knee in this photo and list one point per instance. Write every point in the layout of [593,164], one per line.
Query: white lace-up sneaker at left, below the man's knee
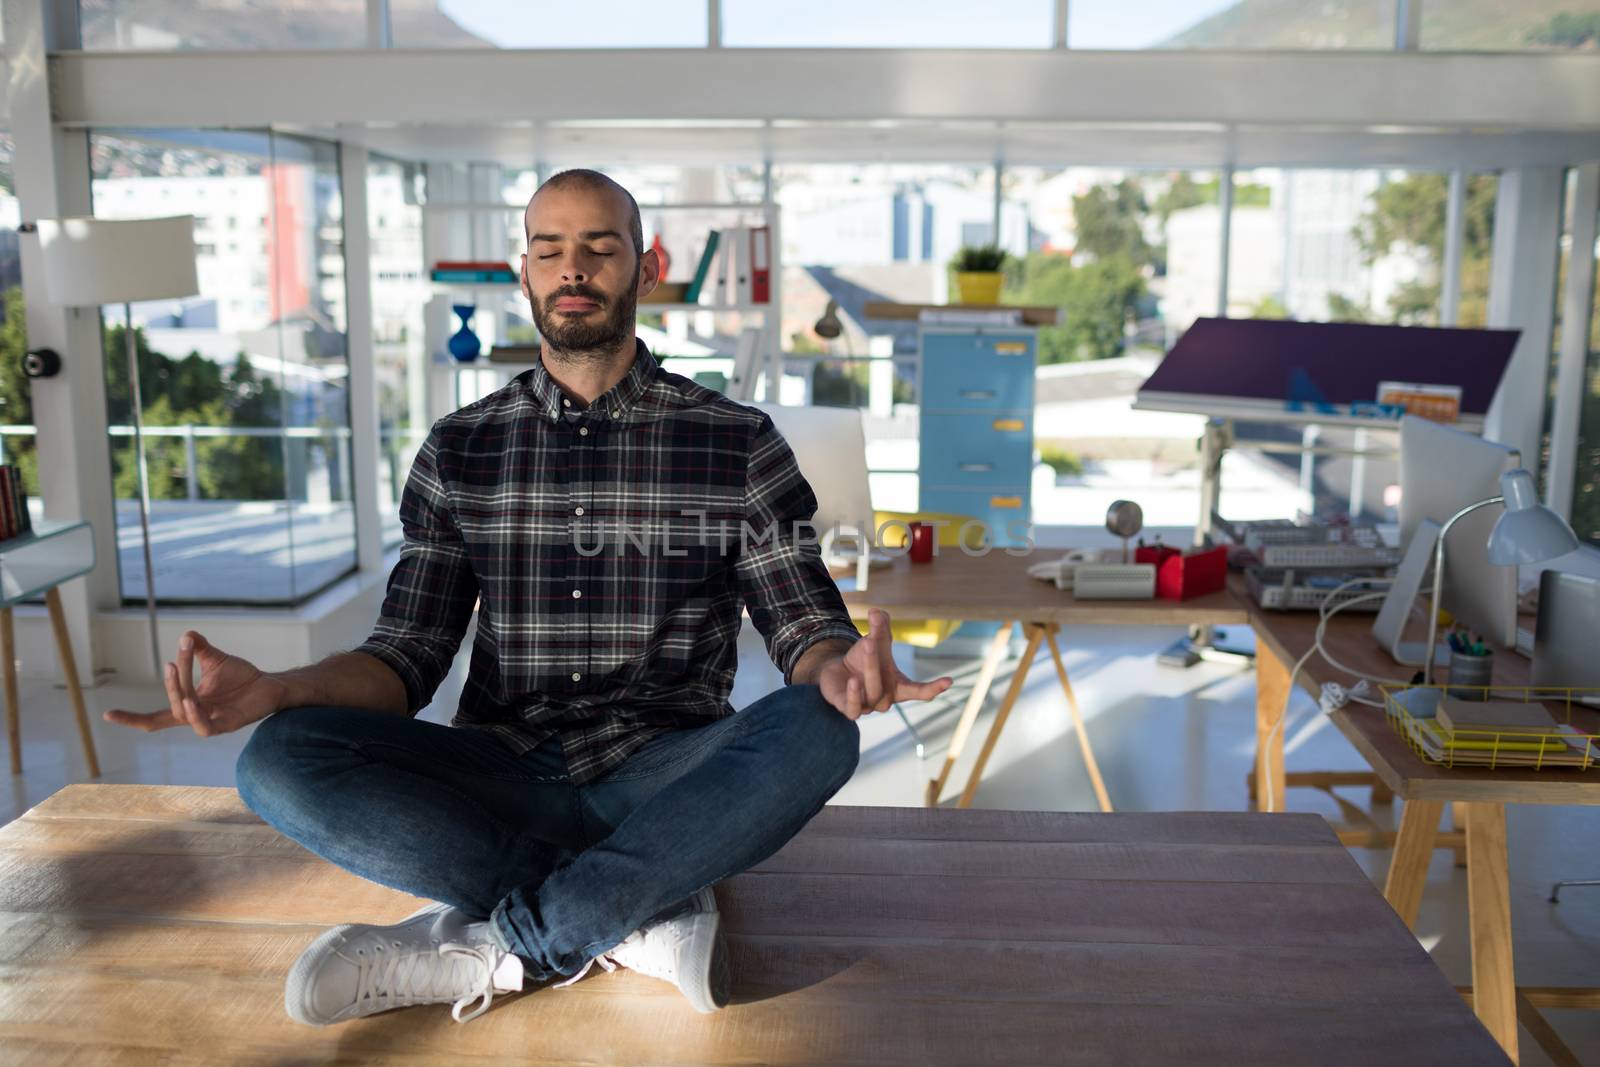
[430,957]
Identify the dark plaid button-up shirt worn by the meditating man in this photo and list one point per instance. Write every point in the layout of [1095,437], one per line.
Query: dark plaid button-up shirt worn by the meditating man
[609,556]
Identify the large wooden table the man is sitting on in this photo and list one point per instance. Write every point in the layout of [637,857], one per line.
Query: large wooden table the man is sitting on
[158,924]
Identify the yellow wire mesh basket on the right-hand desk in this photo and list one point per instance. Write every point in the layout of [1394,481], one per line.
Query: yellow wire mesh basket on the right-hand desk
[1574,745]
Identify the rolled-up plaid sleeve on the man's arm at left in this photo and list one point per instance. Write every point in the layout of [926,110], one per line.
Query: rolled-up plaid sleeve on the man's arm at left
[433,589]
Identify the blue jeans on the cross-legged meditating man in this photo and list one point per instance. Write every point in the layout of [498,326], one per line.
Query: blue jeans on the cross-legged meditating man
[562,871]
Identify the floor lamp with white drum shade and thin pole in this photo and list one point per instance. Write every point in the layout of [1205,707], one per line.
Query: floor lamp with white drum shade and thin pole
[90,263]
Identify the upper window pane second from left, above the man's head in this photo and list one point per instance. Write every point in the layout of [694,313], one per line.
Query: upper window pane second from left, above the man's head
[548,25]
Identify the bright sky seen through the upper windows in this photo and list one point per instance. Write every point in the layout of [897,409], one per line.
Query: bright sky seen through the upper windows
[826,23]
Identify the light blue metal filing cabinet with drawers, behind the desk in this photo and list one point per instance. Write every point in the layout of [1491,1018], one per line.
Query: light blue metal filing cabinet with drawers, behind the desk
[977,439]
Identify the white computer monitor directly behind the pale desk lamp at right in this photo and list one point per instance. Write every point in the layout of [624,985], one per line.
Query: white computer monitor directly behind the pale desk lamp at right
[1441,473]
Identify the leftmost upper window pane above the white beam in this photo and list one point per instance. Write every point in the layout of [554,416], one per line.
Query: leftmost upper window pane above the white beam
[220,25]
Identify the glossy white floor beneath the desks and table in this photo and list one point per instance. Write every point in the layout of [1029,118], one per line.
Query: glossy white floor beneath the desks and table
[1166,740]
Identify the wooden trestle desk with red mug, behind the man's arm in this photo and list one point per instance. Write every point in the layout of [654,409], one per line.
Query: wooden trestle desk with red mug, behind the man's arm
[998,588]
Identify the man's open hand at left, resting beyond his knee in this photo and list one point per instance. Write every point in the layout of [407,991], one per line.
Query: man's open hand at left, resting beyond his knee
[233,693]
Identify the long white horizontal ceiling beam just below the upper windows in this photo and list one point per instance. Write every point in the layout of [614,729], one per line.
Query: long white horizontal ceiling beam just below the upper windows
[193,89]
